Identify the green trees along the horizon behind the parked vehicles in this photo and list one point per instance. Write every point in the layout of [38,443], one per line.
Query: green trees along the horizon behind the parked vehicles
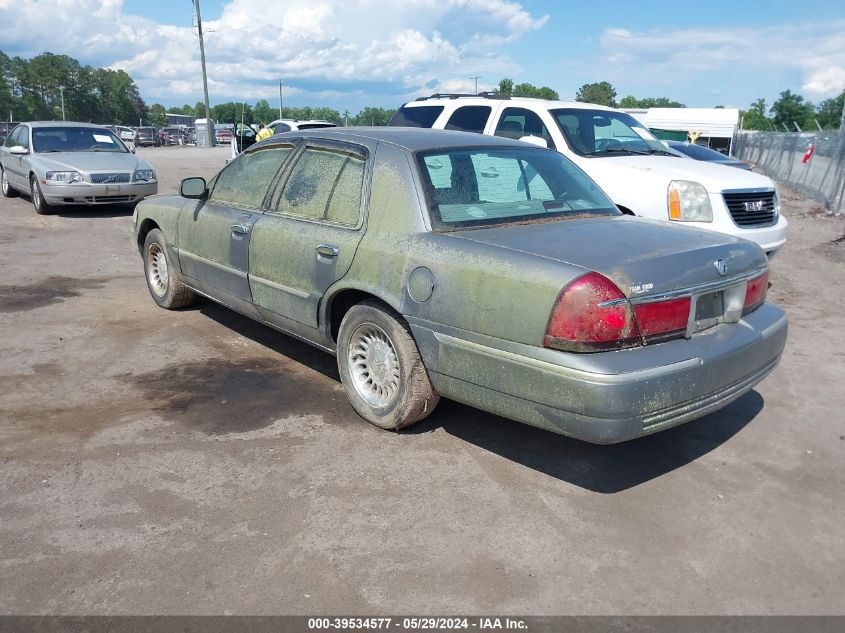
[52,87]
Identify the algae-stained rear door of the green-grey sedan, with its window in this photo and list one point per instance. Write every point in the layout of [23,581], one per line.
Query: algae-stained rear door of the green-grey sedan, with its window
[307,238]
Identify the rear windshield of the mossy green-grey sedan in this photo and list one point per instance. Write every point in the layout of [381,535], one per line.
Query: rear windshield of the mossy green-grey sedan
[483,187]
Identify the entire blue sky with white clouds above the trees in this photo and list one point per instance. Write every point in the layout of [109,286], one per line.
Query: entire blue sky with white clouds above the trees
[347,54]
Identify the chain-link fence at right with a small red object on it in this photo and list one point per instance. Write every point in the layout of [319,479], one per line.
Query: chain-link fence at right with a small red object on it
[782,156]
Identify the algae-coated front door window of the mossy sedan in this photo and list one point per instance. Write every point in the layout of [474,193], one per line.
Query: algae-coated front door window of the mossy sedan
[246,180]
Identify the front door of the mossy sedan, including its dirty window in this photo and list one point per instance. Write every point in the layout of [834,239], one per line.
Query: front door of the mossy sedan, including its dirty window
[214,234]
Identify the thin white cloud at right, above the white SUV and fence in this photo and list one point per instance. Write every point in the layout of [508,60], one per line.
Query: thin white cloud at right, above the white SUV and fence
[812,54]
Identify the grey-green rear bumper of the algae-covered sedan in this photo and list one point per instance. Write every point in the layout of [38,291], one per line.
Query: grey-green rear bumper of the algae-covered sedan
[607,397]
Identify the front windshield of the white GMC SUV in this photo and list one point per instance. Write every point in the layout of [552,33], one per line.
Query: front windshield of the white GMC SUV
[605,133]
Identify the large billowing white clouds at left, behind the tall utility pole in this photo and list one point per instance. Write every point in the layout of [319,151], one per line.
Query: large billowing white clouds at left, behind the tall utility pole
[320,44]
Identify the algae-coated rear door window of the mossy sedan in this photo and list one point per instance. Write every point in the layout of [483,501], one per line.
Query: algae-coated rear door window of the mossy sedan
[325,184]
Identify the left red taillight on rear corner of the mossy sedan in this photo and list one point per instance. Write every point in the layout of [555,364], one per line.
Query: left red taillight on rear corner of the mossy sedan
[580,323]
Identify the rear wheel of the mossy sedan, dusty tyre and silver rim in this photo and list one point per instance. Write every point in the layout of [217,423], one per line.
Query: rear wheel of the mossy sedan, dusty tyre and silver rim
[381,368]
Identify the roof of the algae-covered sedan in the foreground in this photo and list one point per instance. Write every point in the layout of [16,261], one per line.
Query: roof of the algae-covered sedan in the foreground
[410,138]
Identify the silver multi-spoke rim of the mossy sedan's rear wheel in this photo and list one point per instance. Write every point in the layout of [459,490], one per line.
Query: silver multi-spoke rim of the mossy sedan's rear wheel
[374,365]
